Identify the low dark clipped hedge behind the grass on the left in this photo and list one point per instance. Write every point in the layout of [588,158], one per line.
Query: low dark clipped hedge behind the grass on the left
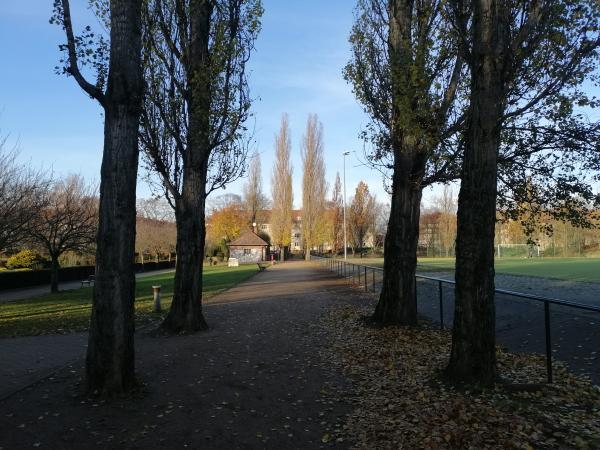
[29,278]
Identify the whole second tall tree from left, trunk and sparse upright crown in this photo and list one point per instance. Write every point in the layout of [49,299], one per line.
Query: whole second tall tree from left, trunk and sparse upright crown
[193,124]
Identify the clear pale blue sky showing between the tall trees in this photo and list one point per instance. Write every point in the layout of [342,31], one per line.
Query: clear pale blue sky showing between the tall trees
[297,68]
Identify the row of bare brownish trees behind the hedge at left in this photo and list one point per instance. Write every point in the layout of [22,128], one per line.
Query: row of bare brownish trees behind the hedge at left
[53,217]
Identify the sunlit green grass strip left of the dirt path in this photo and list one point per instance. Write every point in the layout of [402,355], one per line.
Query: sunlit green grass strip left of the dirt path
[69,311]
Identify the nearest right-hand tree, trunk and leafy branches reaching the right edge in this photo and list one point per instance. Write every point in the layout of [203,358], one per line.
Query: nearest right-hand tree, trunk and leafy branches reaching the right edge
[527,60]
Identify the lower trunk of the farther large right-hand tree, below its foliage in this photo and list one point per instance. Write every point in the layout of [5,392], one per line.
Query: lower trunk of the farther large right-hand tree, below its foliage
[397,302]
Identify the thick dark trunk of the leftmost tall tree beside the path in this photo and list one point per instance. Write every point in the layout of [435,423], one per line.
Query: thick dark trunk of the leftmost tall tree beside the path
[110,354]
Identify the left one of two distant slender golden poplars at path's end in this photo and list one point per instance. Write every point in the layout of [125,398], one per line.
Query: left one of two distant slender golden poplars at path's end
[281,188]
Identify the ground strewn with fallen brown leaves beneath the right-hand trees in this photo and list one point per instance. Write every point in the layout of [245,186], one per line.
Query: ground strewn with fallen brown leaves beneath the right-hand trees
[400,401]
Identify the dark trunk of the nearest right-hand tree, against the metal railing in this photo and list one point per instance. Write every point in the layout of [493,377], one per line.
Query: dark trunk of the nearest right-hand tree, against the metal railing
[473,356]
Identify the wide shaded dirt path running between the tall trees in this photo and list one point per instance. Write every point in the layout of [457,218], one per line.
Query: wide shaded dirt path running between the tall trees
[254,380]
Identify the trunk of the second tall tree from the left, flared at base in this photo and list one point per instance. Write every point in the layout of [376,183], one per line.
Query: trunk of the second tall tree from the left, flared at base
[185,314]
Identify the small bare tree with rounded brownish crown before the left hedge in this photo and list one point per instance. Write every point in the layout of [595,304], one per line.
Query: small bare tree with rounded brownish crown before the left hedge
[67,222]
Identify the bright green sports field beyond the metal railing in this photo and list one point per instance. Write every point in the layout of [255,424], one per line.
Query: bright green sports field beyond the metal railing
[571,269]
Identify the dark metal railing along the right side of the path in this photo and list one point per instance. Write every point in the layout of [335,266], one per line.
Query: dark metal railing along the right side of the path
[363,274]
